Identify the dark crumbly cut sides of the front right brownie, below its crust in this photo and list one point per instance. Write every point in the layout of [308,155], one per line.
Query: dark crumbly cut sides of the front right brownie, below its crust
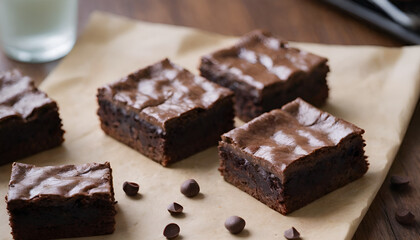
[335,168]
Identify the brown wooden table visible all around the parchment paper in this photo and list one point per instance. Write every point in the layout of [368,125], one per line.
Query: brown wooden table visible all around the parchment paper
[297,20]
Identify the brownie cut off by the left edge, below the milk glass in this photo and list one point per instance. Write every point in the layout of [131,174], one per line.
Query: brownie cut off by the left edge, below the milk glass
[29,120]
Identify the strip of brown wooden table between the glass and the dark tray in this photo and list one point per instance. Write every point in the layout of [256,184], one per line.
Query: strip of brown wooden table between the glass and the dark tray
[298,20]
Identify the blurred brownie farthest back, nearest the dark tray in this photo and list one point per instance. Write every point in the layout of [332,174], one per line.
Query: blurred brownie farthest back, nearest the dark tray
[265,73]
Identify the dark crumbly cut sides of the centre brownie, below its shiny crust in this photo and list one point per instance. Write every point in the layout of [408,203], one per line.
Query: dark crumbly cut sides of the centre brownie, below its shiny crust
[192,132]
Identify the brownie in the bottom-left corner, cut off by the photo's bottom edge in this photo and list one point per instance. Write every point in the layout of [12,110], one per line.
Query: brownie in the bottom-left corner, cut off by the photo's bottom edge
[61,201]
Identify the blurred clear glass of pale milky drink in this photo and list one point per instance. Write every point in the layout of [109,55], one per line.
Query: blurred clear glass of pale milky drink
[37,30]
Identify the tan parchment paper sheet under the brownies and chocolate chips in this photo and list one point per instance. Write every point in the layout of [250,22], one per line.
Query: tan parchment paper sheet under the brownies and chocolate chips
[375,88]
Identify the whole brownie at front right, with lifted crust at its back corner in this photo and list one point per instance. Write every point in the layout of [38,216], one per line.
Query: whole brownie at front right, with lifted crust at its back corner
[291,156]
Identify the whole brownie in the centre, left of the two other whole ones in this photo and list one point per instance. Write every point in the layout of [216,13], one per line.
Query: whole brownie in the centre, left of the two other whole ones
[165,112]
